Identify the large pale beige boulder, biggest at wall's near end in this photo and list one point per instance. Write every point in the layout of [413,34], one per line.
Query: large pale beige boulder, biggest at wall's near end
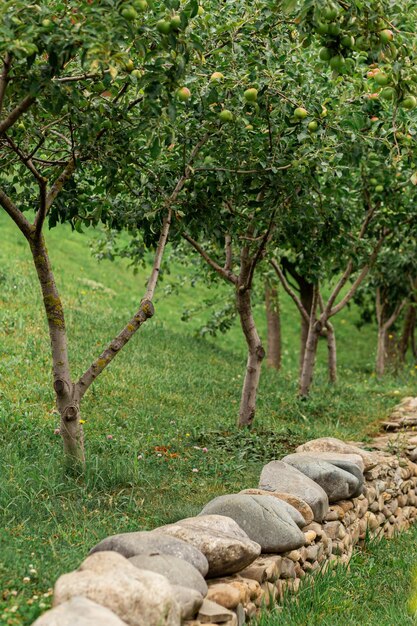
[137,597]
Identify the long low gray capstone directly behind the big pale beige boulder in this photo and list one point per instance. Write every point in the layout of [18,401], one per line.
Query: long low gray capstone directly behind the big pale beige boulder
[143,542]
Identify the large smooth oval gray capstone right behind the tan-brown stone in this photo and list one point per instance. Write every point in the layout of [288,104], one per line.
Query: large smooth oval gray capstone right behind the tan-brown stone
[266,520]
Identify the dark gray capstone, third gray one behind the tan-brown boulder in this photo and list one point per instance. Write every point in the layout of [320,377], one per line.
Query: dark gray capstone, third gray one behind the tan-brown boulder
[338,484]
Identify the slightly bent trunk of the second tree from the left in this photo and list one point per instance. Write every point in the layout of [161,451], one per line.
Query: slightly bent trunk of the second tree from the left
[256,354]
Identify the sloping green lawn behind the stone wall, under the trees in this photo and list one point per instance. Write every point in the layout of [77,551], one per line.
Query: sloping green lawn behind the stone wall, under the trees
[166,396]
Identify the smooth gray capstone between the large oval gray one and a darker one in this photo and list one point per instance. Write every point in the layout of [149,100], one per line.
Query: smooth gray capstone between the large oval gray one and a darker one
[279,476]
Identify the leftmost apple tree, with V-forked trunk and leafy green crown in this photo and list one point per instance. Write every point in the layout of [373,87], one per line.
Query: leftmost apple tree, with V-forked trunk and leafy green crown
[87,90]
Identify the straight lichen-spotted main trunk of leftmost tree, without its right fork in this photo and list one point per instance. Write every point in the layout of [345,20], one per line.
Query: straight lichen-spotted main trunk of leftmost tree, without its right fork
[67,398]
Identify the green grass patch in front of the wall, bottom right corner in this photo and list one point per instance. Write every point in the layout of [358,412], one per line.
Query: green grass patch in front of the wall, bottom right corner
[374,591]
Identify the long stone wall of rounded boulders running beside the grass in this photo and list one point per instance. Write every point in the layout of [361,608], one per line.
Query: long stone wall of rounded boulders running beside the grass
[245,550]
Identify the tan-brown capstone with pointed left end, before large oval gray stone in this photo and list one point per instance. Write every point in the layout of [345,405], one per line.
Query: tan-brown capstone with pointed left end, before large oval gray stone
[226,546]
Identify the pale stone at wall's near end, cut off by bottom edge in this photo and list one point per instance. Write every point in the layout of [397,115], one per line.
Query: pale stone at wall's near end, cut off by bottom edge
[79,611]
